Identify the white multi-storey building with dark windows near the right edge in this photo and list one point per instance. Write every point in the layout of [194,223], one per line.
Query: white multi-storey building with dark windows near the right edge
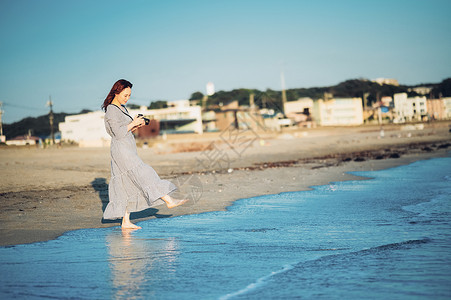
[409,109]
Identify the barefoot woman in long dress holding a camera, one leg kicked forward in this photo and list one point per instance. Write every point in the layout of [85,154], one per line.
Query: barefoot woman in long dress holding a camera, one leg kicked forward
[134,186]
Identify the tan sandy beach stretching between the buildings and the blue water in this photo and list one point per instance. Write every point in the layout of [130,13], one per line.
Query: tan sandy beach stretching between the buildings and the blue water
[46,192]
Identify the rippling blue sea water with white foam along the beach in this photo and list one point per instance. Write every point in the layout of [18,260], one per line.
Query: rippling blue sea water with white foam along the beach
[388,237]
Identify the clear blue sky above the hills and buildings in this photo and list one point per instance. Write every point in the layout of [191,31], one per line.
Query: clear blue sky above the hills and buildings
[75,50]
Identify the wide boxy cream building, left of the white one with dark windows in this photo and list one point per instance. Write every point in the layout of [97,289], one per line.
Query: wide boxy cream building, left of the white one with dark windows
[338,112]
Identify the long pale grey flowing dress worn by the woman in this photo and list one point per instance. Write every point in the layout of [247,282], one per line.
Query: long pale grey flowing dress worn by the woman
[133,185]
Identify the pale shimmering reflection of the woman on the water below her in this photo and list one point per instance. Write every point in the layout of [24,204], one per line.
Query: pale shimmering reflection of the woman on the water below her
[133,257]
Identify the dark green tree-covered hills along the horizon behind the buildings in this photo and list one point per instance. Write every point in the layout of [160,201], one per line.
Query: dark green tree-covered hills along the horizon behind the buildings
[40,126]
